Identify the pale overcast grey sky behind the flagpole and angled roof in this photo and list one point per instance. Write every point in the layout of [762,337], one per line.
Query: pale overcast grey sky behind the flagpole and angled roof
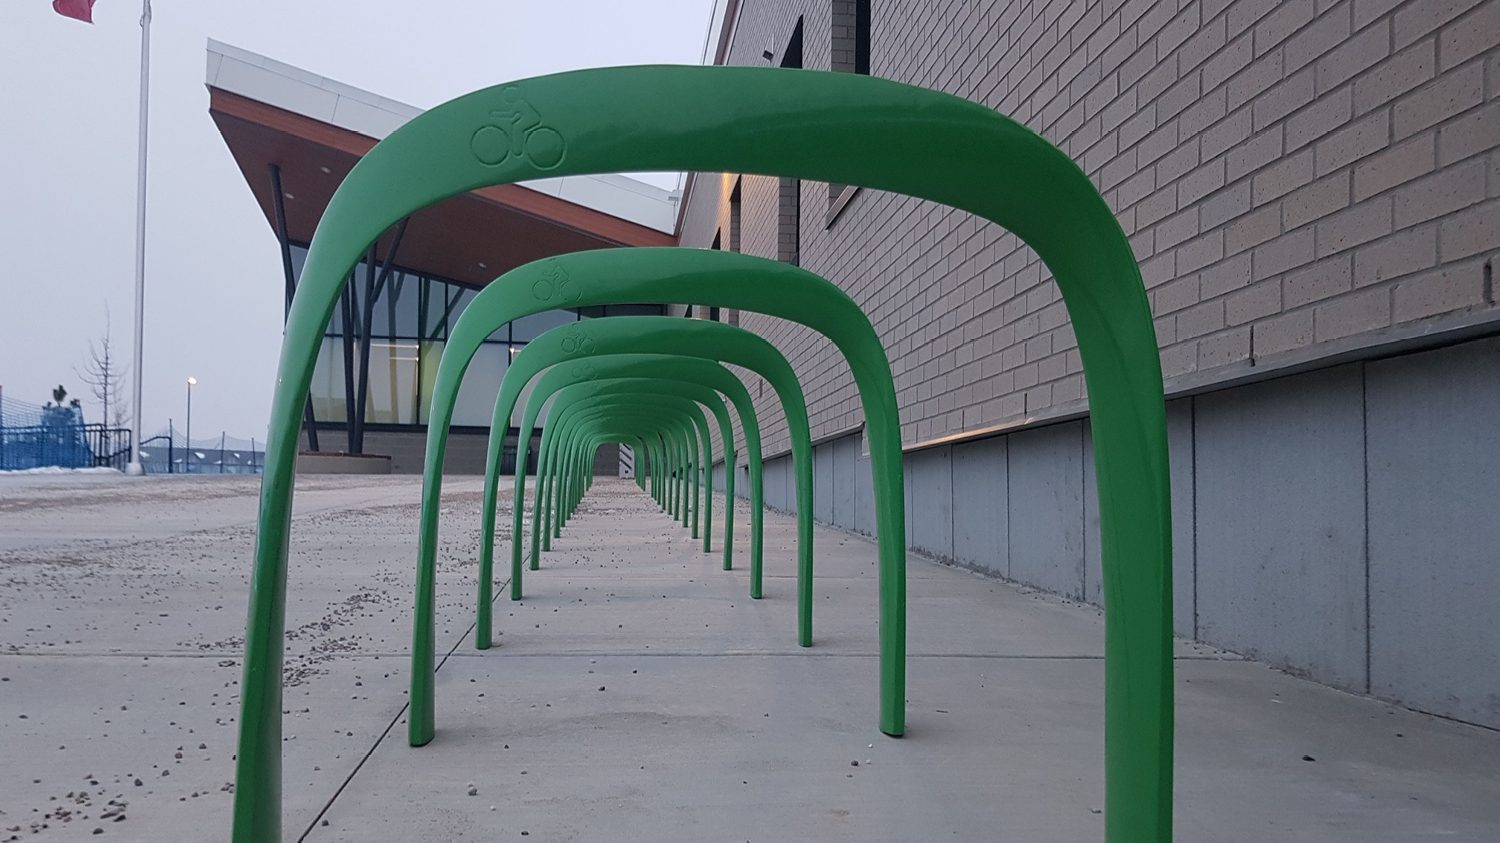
[214,304]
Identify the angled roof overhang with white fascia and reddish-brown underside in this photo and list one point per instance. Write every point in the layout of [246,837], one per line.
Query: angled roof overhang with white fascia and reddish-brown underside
[469,239]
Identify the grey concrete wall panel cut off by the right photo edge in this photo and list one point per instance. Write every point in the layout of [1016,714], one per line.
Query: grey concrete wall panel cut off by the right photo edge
[1435,530]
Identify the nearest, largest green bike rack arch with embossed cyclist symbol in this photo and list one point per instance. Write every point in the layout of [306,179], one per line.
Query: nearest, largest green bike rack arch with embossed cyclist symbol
[818,127]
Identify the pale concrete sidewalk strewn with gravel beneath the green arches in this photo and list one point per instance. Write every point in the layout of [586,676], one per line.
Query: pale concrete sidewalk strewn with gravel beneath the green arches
[637,695]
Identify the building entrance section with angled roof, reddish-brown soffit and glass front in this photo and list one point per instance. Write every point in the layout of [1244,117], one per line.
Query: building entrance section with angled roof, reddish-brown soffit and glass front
[295,136]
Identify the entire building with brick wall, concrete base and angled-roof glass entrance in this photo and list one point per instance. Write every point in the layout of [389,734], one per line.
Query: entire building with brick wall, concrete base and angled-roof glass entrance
[1313,193]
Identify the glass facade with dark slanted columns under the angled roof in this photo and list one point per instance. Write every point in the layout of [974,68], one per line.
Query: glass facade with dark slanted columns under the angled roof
[409,329]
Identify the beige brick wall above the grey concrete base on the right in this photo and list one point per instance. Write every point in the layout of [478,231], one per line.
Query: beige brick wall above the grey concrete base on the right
[1295,176]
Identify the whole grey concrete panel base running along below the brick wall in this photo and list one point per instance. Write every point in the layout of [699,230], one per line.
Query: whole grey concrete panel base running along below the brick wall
[1270,542]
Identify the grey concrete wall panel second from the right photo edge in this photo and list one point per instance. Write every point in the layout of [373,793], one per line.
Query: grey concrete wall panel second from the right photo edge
[1282,523]
